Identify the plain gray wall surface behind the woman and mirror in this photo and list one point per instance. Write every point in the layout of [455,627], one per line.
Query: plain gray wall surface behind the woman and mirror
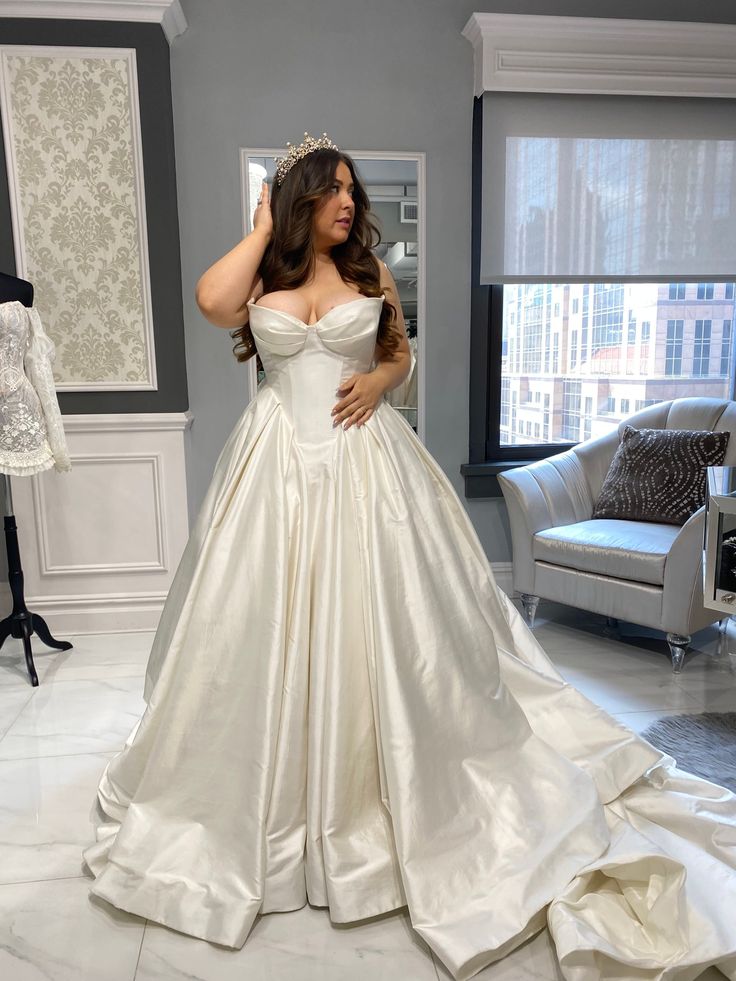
[388,74]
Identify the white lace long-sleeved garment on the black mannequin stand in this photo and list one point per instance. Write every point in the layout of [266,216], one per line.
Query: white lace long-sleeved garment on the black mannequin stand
[31,432]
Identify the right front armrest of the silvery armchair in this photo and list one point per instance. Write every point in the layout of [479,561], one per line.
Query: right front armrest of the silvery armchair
[683,575]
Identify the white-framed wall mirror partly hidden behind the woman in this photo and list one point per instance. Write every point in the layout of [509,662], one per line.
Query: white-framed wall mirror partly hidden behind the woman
[394,182]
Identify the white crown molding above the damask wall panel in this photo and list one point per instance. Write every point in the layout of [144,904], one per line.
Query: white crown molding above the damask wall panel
[167,13]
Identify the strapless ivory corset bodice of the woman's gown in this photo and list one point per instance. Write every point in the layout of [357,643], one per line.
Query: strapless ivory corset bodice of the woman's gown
[305,363]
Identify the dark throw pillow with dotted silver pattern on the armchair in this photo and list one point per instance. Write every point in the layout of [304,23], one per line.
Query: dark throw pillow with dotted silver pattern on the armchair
[659,474]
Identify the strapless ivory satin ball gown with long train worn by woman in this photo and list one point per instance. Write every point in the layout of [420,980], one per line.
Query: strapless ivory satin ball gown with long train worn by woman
[343,708]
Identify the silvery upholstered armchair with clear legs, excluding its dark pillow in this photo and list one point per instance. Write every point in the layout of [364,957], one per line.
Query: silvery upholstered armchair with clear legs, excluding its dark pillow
[637,571]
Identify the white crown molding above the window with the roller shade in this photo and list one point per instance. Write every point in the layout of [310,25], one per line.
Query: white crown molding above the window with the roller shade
[603,56]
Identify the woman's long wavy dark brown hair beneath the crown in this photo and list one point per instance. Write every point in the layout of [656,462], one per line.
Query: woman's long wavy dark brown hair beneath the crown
[288,260]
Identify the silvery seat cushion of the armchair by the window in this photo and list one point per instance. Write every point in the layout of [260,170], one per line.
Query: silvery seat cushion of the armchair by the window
[634,550]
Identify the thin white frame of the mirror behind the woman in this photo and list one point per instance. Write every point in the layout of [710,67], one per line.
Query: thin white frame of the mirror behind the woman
[419,157]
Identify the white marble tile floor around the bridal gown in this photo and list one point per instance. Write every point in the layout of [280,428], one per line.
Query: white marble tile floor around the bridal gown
[56,739]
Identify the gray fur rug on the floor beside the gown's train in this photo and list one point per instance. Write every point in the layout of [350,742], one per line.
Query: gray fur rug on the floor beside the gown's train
[702,744]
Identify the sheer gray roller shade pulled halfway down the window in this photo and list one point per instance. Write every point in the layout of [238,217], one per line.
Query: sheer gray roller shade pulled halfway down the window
[607,188]
